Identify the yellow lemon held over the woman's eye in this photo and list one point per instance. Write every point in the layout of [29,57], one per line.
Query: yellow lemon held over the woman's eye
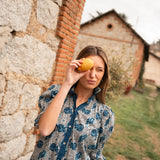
[86,65]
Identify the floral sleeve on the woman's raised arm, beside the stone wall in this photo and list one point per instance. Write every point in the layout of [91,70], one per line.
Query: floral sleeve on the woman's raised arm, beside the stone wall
[45,99]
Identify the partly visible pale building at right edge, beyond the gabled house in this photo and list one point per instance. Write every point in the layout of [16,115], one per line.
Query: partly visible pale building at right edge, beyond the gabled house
[152,67]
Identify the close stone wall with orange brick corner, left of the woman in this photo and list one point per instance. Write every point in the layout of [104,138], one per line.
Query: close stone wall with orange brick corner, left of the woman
[37,42]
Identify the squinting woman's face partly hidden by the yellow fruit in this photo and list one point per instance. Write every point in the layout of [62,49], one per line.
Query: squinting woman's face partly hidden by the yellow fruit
[94,76]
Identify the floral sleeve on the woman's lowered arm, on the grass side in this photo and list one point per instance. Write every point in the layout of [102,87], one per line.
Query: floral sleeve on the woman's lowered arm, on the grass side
[105,132]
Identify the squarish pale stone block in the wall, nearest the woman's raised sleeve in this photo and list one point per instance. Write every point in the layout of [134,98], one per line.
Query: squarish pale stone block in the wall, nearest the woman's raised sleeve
[30,94]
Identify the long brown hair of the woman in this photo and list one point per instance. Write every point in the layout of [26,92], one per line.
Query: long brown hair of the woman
[94,50]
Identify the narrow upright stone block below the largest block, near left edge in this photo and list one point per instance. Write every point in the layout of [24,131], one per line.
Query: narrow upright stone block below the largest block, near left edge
[11,99]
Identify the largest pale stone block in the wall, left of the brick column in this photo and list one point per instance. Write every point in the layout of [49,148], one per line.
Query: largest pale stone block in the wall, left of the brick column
[28,56]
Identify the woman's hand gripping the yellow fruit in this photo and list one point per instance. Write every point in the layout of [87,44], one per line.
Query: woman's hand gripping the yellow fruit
[73,75]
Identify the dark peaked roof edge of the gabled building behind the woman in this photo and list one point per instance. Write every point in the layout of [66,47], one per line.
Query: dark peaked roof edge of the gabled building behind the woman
[146,45]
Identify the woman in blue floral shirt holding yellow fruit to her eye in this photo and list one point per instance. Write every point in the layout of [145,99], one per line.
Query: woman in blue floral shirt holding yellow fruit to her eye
[74,122]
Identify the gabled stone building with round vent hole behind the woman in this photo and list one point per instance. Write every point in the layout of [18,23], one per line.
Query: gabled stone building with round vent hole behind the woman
[117,38]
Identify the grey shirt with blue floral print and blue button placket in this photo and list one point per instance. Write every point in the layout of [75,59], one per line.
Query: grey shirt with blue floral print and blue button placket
[80,132]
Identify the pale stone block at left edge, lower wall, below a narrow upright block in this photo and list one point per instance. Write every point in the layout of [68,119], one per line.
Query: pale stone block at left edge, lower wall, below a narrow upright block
[11,126]
